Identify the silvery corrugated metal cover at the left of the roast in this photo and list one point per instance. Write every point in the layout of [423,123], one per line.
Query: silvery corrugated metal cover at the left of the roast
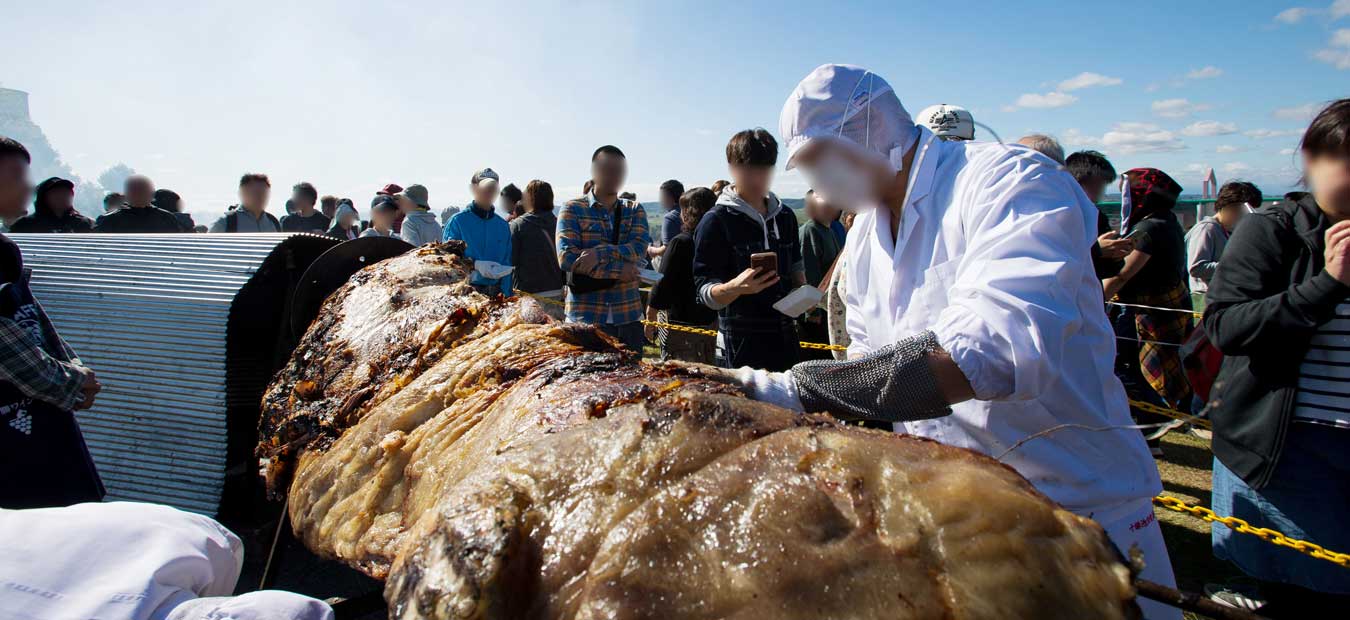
[151,315]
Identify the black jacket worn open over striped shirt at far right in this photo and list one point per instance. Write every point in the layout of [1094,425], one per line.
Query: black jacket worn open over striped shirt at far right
[1266,303]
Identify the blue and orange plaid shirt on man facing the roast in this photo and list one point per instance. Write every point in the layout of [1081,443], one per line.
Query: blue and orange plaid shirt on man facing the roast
[587,225]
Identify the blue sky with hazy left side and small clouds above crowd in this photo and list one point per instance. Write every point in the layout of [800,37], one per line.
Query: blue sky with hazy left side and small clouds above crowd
[354,95]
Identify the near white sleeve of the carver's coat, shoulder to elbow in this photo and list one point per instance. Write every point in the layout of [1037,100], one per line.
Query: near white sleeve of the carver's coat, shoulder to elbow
[1013,303]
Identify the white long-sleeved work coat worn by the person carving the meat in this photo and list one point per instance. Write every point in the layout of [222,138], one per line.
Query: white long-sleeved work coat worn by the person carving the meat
[993,256]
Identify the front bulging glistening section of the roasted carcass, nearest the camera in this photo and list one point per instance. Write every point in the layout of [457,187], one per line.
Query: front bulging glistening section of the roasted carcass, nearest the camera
[704,511]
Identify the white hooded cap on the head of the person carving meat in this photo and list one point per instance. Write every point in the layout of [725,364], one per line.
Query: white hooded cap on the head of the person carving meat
[847,103]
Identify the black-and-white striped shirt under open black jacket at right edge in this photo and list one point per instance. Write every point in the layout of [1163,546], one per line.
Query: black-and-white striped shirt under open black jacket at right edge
[1325,373]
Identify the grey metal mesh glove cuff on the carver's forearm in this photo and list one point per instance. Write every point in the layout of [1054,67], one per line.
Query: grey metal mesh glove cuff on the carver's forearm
[893,384]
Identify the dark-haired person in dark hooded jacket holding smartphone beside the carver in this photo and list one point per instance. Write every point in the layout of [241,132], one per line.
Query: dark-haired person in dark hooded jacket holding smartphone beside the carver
[747,257]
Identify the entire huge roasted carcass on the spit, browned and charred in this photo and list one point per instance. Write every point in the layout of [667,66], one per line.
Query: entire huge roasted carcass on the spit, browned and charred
[493,463]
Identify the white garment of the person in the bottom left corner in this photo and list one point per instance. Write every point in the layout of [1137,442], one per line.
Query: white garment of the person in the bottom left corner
[126,561]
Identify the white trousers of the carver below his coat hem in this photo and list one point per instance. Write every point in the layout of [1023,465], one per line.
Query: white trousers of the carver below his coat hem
[1135,525]
